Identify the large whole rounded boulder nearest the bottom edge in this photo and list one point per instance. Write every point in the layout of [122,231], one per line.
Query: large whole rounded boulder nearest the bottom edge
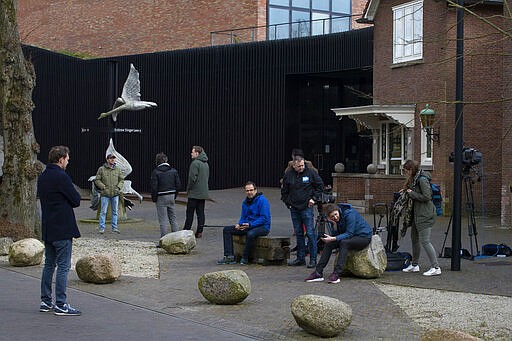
[321,315]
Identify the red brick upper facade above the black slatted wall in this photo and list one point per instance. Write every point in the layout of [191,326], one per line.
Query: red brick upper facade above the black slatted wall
[103,28]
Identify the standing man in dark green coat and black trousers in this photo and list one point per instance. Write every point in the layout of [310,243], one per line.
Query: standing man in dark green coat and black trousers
[197,189]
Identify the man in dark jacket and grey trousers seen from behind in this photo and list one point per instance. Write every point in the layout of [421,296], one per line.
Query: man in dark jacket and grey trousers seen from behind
[165,183]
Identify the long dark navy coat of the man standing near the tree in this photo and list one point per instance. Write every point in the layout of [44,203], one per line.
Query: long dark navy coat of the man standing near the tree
[58,198]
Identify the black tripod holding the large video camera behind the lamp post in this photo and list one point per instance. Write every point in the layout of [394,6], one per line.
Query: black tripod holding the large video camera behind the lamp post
[470,213]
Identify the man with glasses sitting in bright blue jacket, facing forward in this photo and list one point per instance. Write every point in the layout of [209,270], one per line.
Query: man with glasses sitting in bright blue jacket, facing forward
[254,222]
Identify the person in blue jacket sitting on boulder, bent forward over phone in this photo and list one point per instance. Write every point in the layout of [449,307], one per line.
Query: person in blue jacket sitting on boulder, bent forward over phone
[352,232]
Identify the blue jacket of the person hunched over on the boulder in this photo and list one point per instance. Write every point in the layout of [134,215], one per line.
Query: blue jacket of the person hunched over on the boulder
[351,224]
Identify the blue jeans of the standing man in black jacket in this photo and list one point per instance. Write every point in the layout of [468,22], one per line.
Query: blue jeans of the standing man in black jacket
[306,217]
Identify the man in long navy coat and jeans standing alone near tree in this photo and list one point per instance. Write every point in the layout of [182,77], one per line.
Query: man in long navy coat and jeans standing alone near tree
[58,198]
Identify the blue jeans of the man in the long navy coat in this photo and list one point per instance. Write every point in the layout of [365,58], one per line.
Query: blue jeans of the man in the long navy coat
[57,253]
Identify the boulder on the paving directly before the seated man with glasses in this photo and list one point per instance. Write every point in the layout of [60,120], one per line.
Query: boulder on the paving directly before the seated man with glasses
[225,287]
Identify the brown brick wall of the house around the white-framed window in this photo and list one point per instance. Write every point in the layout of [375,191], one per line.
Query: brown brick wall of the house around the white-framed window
[433,81]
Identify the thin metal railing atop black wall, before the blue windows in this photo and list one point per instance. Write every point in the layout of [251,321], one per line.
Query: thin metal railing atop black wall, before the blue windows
[295,29]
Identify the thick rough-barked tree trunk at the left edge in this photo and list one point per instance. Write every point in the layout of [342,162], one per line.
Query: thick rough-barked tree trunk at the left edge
[20,166]
